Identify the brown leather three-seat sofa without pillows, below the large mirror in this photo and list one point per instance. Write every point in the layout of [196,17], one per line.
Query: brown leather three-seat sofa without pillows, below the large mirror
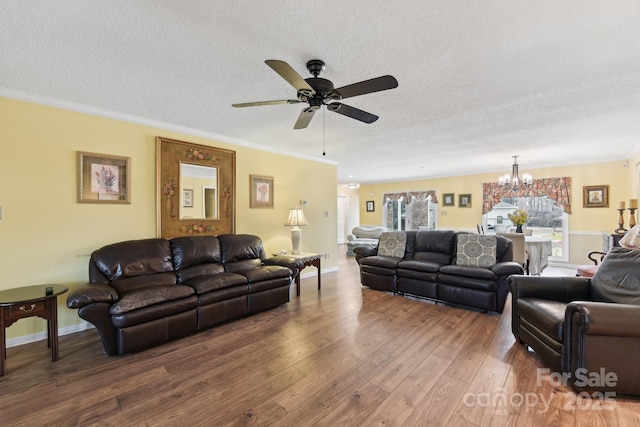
[142,293]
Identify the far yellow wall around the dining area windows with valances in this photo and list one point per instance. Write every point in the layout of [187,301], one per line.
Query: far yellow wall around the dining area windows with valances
[586,224]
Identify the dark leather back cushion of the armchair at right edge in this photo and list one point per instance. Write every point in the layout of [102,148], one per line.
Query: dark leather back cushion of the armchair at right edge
[617,278]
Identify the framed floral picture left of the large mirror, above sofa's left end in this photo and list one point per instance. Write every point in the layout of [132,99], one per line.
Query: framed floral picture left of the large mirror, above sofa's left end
[103,178]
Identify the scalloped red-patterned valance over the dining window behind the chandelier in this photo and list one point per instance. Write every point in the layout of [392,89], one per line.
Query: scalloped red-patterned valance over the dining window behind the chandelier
[558,189]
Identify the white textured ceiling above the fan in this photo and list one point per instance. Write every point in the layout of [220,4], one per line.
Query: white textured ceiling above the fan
[556,82]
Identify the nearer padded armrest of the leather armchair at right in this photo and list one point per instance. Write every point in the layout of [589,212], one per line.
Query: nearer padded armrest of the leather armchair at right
[603,318]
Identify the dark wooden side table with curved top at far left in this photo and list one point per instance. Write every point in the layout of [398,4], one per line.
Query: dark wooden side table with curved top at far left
[18,303]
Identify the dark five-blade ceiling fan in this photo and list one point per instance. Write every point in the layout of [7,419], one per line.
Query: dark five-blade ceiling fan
[317,92]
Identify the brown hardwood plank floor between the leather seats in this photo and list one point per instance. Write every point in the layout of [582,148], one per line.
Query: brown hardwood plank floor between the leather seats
[346,355]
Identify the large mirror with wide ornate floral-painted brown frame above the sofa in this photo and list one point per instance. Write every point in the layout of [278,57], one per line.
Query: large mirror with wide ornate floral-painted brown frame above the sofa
[177,210]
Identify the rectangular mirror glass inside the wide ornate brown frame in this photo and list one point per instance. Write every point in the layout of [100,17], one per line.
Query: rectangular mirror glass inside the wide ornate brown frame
[198,191]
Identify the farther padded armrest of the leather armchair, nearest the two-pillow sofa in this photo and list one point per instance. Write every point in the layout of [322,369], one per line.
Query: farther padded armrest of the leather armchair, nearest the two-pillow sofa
[562,289]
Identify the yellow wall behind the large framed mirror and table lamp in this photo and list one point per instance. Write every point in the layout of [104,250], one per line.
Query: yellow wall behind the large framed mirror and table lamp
[46,236]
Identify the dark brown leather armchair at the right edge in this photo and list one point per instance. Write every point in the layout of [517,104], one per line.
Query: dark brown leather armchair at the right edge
[586,328]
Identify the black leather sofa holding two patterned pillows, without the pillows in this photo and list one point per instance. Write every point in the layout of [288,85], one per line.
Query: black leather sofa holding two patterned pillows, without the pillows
[429,268]
